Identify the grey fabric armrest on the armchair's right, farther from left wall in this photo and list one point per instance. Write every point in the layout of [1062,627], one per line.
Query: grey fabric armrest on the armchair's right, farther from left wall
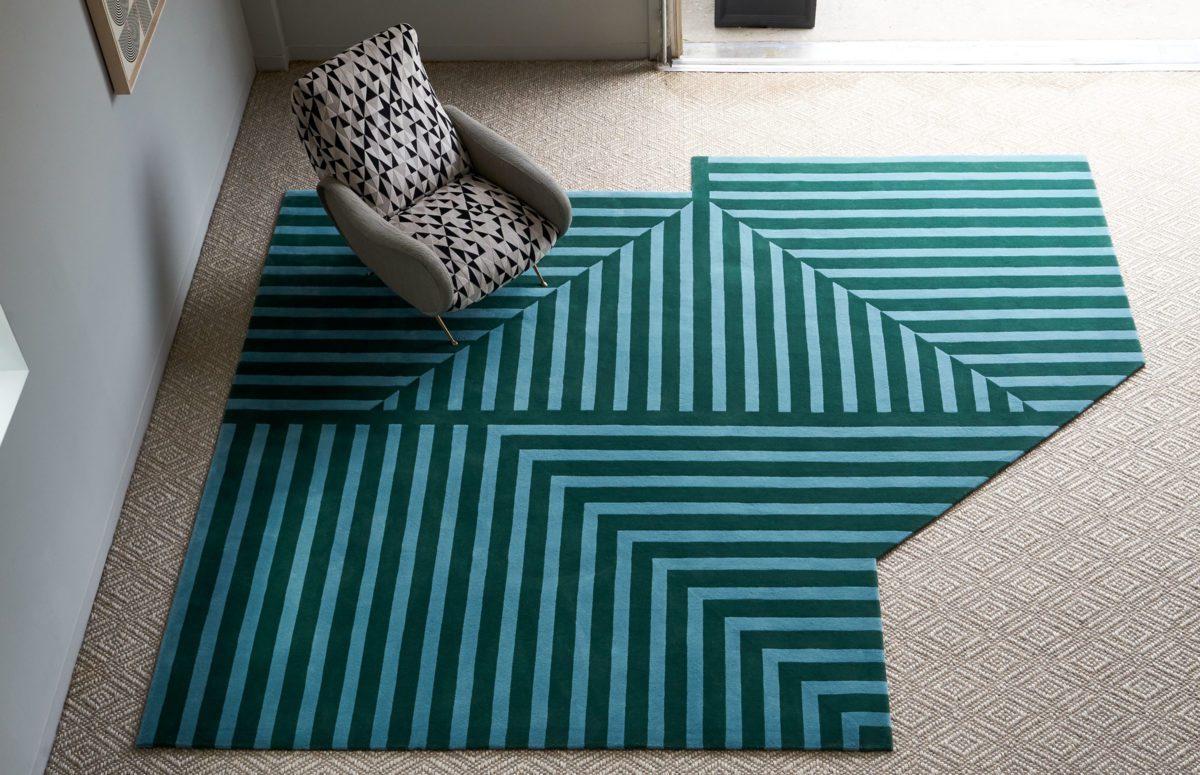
[508,167]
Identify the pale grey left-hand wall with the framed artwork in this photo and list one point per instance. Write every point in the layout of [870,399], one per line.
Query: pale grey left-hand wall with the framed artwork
[104,206]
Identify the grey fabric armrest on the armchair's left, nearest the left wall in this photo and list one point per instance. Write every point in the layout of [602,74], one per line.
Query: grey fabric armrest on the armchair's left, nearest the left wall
[412,269]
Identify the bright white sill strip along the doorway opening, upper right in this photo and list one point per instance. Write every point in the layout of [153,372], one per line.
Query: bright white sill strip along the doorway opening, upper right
[939,56]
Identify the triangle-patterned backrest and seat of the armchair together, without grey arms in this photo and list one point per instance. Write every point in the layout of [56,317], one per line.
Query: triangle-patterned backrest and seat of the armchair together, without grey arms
[370,119]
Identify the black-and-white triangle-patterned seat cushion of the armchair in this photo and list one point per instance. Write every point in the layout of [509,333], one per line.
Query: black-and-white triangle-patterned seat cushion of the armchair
[485,236]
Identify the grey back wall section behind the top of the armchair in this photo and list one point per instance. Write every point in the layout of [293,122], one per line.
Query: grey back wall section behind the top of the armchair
[478,29]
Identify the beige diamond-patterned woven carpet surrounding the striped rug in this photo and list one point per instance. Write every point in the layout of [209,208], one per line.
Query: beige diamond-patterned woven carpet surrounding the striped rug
[1049,624]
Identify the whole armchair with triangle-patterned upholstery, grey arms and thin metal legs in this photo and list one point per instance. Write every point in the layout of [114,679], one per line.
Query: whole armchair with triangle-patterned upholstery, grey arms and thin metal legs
[442,209]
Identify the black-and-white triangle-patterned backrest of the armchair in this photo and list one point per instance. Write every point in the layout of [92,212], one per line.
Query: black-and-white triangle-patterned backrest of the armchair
[370,118]
